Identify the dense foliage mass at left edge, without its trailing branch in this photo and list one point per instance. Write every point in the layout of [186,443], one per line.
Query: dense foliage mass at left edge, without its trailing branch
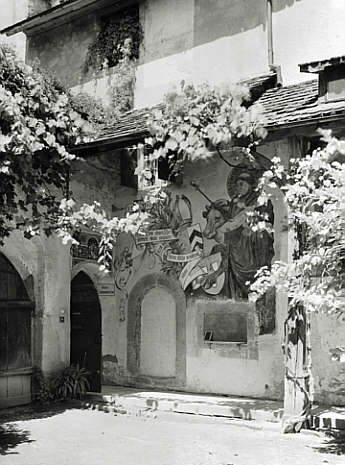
[37,124]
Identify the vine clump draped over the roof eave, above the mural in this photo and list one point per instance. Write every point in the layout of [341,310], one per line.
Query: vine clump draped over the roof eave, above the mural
[196,122]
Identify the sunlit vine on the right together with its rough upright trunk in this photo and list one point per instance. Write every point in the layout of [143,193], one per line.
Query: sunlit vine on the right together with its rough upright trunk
[314,190]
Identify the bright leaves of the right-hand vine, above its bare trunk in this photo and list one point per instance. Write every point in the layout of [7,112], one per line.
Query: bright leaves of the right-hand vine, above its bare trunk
[314,190]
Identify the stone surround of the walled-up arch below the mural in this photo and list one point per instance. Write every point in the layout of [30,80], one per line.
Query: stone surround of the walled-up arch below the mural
[136,296]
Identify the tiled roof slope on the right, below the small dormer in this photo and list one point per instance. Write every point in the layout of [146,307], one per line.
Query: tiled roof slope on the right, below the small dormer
[297,104]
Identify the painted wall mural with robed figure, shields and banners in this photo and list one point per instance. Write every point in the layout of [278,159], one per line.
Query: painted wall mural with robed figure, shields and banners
[215,256]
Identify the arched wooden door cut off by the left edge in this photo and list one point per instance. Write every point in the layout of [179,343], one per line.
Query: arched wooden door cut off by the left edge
[15,337]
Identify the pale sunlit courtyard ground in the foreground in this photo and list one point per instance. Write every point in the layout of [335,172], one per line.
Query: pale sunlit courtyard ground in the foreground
[84,437]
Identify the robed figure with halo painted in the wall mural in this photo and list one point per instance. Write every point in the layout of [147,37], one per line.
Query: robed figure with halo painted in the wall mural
[244,250]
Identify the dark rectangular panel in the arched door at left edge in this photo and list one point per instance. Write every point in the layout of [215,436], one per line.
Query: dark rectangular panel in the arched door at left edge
[19,338]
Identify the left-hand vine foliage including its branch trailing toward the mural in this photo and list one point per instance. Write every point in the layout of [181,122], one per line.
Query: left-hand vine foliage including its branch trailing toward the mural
[38,125]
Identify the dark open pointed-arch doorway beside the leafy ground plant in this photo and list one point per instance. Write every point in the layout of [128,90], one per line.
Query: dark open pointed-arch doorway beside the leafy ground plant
[86,337]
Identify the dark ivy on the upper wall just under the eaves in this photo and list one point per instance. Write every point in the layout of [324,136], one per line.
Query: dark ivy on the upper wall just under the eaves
[108,48]
